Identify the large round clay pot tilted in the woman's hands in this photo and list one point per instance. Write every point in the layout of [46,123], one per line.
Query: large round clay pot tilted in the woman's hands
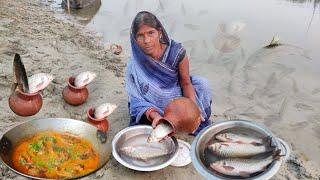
[183,114]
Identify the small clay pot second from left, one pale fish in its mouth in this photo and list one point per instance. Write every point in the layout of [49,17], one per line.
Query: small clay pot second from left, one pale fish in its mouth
[74,95]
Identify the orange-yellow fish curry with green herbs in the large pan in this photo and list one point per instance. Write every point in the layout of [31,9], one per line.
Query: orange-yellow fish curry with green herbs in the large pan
[54,155]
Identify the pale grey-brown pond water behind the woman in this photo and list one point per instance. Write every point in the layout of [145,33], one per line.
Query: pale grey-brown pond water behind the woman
[278,86]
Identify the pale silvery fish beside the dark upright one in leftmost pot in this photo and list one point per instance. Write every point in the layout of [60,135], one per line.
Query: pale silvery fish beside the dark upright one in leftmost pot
[39,81]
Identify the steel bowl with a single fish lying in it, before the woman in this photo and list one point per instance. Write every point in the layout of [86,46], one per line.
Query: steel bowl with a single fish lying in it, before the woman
[134,135]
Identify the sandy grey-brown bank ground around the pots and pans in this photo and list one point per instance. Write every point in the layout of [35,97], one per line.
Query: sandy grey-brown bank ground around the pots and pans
[59,46]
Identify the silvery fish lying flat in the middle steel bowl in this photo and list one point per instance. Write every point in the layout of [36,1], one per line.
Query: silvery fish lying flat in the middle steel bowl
[144,151]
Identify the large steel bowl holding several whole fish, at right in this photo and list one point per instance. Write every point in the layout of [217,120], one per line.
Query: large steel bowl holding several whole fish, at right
[201,157]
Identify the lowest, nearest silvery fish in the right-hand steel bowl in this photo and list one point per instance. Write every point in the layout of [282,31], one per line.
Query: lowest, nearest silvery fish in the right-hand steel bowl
[243,167]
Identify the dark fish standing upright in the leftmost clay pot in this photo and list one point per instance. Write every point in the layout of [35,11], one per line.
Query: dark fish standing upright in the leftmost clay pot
[20,79]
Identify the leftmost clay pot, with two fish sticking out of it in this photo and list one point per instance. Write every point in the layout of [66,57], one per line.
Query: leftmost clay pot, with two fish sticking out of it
[25,104]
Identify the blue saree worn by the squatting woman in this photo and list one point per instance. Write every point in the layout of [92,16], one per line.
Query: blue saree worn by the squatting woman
[152,83]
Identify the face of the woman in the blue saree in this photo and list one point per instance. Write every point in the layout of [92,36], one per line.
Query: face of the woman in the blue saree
[148,39]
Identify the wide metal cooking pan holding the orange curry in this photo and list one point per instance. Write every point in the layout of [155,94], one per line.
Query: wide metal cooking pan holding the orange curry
[99,140]
